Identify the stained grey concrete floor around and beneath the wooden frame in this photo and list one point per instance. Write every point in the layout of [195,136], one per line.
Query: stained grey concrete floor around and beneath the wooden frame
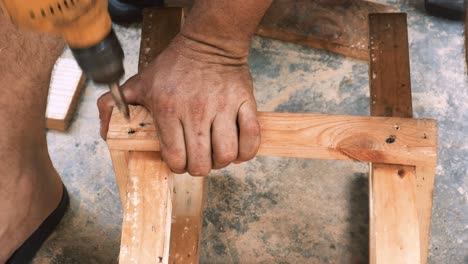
[285,210]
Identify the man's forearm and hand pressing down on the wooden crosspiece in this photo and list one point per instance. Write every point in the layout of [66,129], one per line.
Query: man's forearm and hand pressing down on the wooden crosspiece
[199,89]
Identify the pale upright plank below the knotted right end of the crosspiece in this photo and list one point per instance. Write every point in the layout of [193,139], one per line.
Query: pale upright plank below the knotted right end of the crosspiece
[395,216]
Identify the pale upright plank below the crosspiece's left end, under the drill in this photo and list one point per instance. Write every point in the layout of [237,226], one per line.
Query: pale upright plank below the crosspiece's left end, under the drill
[147,212]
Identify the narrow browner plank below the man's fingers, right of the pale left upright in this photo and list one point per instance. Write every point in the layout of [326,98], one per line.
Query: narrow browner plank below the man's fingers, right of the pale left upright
[187,216]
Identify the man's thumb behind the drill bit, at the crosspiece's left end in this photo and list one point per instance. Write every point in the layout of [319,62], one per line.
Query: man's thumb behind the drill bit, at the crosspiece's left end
[131,91]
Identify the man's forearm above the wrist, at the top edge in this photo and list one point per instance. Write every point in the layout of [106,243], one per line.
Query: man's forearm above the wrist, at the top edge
[225,25]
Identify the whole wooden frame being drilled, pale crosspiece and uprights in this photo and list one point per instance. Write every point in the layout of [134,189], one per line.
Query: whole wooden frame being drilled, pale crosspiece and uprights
[163,212]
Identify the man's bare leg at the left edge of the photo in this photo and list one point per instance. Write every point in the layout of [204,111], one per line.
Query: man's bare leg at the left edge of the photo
[30,188]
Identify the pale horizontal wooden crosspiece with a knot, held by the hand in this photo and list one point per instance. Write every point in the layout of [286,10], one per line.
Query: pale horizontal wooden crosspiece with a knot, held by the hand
[357,138]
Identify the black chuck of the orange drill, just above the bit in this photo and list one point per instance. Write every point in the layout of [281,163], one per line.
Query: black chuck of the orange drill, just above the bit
[103,62]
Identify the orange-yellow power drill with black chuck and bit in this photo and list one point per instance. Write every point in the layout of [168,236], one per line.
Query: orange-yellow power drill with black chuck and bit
[86,27]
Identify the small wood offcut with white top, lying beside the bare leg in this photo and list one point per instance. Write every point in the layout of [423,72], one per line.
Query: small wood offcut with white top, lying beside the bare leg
[65,87]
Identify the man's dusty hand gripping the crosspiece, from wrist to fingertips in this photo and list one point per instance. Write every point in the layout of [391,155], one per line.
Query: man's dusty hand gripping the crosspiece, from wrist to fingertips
[202,103]
